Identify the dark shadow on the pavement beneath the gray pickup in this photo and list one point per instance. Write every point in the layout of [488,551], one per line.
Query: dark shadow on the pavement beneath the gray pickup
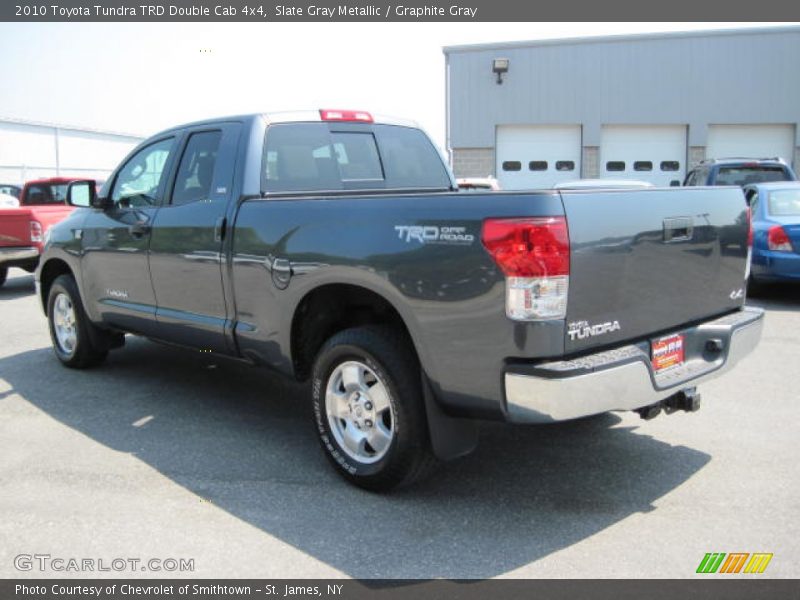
[243,440]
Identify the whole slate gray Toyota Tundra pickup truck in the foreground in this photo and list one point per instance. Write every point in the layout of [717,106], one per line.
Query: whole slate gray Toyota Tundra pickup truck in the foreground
[333,247]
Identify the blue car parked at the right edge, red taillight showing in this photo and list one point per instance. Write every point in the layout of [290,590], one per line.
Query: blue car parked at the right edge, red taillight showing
[775,210]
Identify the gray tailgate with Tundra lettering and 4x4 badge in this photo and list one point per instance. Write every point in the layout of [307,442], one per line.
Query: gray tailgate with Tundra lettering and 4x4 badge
[644,262]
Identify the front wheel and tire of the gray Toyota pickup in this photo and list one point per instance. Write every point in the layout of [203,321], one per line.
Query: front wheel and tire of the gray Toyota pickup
[71,332]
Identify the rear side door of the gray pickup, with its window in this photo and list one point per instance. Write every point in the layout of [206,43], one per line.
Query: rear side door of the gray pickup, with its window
[186,252]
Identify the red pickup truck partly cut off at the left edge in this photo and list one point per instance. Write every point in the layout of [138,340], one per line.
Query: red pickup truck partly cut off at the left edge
[22,230]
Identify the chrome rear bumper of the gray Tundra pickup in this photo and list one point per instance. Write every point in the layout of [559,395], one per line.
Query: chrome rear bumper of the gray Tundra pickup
[623,378]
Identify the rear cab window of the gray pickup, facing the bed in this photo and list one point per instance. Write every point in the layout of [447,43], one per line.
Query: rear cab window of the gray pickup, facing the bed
[311,157]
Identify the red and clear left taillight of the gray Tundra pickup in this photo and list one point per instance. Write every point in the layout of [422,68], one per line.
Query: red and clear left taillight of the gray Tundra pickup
[533,253]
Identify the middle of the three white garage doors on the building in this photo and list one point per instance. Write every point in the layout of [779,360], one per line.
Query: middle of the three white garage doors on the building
[654,153]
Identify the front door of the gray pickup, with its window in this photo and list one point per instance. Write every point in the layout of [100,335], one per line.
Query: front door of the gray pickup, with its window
[115,241]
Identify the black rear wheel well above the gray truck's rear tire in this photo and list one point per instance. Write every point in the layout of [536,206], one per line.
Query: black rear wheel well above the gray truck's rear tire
[330,309]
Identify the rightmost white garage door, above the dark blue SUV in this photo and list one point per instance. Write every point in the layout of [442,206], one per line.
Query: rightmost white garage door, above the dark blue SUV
[750,141]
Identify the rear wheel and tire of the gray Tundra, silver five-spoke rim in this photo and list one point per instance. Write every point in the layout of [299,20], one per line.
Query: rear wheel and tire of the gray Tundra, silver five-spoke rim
[369,411]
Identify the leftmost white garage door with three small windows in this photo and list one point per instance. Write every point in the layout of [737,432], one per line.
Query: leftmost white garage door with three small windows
[537,156]
